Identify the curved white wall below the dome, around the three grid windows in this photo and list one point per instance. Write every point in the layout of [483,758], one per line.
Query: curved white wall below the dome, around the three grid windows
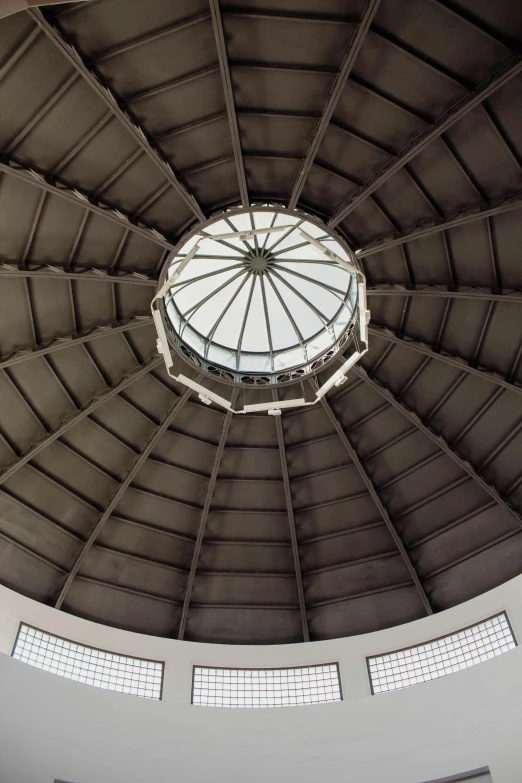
[51,727]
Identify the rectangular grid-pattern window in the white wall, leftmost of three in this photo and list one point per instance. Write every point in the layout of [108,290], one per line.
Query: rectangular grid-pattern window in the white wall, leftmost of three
[89,665]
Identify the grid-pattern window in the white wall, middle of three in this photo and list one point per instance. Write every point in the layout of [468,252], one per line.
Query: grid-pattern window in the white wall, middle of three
[266,687]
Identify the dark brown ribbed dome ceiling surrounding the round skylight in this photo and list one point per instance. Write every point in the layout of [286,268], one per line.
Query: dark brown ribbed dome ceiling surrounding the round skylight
[124,498]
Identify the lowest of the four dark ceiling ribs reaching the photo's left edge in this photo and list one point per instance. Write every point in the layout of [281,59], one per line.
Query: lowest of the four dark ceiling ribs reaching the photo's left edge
[70,421]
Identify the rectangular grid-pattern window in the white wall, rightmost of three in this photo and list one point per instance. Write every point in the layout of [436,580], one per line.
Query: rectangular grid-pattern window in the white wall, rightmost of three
[446,655]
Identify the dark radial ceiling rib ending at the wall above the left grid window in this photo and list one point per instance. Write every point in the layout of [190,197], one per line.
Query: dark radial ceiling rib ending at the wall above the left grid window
[130,474]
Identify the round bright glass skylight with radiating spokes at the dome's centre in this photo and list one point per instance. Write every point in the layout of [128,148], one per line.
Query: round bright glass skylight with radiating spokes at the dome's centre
[262,295]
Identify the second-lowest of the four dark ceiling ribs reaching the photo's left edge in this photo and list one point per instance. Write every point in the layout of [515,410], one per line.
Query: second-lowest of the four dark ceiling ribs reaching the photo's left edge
[75,338]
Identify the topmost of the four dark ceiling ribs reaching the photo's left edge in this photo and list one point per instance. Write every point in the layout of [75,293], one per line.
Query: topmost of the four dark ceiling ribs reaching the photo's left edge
[61,188]
